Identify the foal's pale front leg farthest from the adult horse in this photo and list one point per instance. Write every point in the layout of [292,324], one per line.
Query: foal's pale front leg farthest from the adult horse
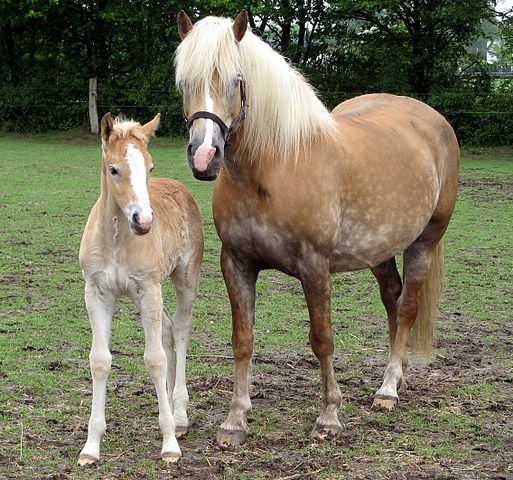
[100,307]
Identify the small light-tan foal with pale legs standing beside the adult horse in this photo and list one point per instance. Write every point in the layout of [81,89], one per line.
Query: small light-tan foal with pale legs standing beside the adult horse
[138,233]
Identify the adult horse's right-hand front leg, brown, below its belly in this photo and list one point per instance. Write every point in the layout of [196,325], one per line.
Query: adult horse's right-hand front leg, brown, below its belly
[316,283]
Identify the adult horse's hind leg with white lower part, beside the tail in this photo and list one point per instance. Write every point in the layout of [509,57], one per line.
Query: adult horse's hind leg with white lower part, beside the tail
[417,260]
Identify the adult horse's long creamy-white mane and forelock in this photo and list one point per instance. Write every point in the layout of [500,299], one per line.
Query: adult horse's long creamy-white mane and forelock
[284,114]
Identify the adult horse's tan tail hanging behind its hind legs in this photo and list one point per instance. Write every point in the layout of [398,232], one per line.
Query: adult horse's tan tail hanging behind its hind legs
[422,333]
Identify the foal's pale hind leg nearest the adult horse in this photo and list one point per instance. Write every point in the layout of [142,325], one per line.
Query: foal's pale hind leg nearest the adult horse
[185,279]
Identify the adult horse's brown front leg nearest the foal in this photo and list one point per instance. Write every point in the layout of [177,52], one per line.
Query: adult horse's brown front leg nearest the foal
[240,279]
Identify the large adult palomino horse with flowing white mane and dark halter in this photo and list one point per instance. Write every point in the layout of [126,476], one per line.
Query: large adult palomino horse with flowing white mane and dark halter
[310,193]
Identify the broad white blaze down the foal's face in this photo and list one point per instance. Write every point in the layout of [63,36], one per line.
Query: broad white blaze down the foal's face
[136,164]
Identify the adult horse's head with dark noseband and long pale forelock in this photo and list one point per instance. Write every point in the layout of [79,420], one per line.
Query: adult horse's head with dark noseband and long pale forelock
[209,76]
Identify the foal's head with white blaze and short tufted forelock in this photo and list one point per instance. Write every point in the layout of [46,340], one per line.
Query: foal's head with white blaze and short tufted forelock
[126,167]
